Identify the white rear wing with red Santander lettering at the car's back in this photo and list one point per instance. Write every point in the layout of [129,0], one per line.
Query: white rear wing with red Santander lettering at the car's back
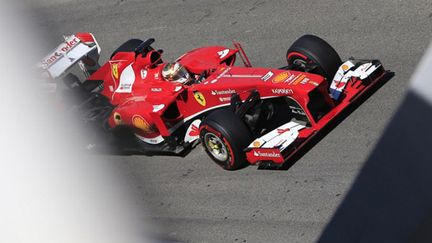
[81,48]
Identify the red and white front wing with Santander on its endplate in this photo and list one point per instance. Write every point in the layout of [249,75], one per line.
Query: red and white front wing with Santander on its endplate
[282,143]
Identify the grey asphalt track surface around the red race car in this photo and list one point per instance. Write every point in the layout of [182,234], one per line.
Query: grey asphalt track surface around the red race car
[192,199]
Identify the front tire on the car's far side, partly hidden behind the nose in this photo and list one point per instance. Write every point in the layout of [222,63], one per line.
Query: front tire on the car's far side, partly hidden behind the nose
[310,49]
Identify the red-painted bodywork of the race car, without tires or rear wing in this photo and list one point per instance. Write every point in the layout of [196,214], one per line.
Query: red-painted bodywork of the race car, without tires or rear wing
[145,108]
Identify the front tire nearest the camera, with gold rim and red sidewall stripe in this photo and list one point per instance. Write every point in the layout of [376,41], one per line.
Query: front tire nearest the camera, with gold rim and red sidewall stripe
[224,137]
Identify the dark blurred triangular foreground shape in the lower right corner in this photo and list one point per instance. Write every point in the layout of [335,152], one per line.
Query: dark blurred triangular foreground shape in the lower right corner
[391,199]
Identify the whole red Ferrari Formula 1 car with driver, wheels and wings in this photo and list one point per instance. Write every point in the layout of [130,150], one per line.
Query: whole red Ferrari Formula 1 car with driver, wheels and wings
[241,114]
